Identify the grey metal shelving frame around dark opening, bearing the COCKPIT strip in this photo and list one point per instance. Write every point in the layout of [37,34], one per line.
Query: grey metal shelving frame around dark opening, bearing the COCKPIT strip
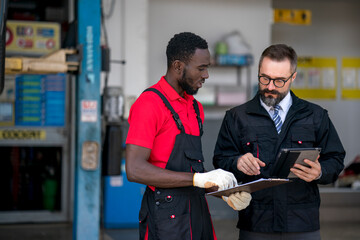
[54,138]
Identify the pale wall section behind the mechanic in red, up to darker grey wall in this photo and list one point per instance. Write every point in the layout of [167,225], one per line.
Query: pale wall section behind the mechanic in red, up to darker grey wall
[139,31]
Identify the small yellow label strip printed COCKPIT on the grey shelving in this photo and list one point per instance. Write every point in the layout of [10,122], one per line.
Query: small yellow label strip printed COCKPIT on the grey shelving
[10,134]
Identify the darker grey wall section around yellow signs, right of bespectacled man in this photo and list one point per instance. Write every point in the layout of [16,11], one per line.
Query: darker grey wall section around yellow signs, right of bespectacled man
[334,32]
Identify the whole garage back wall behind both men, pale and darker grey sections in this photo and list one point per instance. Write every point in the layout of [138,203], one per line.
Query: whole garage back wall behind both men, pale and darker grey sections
[141,29]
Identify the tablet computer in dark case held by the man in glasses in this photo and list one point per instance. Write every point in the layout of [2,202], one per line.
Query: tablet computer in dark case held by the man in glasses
[287,157]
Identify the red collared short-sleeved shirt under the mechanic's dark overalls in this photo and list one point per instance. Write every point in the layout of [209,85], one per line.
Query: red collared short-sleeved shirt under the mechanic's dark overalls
[152,125]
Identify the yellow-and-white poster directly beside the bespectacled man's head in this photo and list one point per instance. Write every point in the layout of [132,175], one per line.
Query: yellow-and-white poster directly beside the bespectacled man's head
[316,78]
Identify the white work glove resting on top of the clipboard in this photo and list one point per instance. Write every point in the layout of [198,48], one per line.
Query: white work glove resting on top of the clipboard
[218,177]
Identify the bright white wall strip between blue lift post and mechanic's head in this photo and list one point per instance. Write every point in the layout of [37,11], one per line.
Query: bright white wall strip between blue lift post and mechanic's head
[127,29]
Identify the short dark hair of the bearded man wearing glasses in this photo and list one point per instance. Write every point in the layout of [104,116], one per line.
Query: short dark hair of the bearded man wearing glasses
[280,52]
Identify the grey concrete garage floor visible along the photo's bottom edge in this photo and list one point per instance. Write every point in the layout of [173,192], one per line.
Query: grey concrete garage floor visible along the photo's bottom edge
[225,230]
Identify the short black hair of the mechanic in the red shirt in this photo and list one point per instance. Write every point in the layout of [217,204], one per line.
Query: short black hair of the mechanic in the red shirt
[183,46]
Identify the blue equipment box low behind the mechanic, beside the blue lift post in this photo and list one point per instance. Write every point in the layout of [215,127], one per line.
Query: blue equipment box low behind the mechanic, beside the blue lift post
[122,201]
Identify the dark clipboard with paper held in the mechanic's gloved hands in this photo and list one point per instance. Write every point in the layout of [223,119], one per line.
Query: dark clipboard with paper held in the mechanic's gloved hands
[250,186]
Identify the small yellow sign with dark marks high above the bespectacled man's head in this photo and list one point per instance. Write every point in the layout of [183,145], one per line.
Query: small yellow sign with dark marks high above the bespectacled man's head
[292,16]
